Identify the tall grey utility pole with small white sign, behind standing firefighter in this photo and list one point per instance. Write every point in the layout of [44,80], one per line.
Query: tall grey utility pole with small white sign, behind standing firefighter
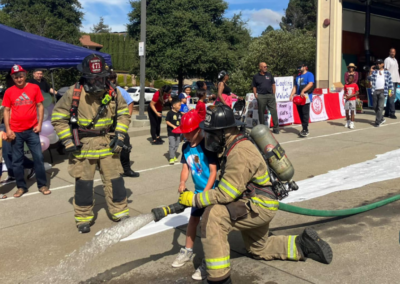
[142,54]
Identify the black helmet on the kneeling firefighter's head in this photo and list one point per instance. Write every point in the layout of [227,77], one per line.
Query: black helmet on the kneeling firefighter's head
[220,117]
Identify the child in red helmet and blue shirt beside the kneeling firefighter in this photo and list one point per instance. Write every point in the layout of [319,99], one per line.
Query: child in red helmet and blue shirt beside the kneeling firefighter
[203,166]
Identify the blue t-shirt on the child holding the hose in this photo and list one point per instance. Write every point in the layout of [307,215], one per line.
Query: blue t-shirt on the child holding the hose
[198,160]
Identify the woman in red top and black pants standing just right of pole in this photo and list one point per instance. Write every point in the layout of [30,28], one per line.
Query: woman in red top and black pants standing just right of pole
[160,98]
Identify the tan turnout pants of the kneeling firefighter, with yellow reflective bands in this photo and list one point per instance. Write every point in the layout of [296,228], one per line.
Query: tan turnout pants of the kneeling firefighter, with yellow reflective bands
[216,224]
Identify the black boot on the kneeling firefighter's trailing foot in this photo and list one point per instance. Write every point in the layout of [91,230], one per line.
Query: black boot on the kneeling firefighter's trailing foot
[312,246]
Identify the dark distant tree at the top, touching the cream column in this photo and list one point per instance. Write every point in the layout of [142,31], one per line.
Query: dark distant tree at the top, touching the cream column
[300,14]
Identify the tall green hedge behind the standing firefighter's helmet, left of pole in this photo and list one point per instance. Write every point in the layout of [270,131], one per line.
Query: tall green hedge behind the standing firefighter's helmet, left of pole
[123,50]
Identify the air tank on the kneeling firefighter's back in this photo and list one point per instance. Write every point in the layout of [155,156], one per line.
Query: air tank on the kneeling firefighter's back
[281,168]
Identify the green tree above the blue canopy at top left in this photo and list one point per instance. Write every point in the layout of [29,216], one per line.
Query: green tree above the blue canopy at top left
[56,19]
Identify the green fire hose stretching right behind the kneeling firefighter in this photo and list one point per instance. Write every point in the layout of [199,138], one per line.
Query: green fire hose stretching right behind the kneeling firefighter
[336,213]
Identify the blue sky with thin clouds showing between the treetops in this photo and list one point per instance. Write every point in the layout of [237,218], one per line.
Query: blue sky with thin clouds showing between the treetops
[258,13]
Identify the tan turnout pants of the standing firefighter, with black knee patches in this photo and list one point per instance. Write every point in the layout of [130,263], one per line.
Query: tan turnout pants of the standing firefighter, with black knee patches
[83,171]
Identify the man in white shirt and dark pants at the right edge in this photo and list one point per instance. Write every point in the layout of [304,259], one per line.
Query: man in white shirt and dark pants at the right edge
[393,67]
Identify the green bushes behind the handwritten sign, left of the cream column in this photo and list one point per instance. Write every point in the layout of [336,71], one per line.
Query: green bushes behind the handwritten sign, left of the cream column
[285,51]
